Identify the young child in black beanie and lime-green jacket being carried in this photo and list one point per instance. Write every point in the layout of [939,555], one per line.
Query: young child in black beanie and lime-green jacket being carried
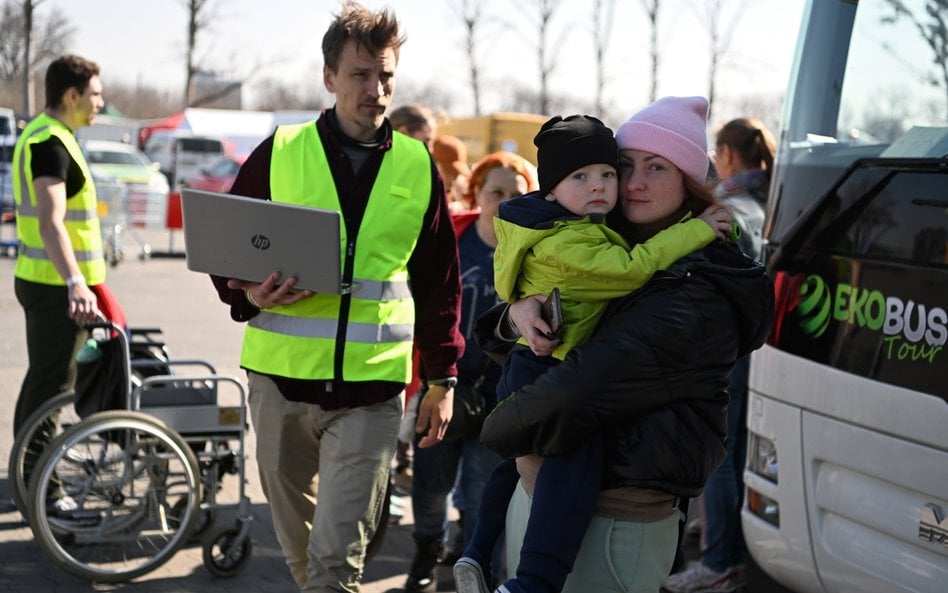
[557,237]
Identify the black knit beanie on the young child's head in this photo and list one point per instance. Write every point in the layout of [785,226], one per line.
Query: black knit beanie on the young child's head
[564,145]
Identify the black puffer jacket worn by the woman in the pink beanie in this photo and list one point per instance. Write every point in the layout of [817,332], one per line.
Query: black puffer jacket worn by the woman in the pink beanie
[653,379]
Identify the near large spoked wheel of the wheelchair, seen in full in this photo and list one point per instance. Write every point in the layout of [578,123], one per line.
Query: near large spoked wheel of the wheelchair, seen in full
[124,472]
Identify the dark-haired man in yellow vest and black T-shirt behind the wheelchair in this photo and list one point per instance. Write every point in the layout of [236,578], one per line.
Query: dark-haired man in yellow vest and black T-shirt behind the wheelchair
[60,245]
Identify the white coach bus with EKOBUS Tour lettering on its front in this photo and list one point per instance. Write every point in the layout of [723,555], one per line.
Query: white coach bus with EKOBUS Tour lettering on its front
[847,468]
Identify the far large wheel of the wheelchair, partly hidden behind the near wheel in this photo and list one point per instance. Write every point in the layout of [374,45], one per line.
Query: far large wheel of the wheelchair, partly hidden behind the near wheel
[39,430]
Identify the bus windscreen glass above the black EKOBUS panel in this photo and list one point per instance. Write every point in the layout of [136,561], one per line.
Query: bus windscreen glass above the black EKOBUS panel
[889,80]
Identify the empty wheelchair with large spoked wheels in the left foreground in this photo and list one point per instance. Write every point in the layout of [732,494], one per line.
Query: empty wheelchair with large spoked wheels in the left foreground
[142,480]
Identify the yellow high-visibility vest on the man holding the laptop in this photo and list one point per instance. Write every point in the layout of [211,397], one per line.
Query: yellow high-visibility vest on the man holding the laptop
[366,335]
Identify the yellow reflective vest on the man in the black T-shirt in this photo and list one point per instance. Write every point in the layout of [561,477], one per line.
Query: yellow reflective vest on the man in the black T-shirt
[80,218]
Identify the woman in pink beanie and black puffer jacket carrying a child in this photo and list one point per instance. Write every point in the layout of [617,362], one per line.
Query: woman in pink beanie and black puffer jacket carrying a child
[653,378]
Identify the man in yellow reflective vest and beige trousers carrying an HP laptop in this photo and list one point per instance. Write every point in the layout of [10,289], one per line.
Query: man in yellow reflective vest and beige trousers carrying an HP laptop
[326,371]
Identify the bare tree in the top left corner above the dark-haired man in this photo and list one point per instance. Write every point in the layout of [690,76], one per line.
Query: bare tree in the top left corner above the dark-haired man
[29,42]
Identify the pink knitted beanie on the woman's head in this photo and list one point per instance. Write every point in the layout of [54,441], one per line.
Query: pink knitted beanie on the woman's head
[674,128]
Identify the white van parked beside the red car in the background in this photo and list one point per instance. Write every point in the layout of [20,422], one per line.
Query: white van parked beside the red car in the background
[182,156]
